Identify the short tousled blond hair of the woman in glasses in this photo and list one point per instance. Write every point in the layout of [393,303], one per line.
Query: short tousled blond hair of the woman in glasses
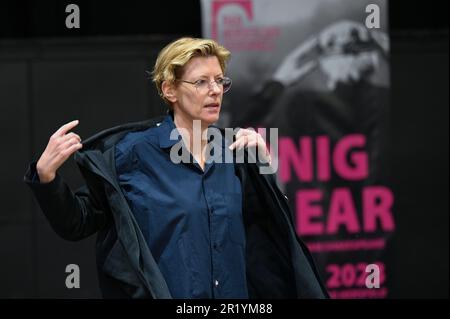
[173,57]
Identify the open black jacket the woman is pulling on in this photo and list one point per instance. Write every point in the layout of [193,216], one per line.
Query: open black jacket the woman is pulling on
[279,265]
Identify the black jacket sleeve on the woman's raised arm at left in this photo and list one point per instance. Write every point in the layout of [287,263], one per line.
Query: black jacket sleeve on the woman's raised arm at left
[73,216]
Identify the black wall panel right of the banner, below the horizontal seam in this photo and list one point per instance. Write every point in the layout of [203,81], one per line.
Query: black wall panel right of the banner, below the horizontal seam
[419,172]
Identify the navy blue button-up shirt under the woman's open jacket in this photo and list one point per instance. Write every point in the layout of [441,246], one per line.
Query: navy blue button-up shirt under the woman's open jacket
[191,218]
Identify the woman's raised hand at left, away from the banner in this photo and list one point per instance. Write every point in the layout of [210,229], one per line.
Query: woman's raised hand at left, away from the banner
[59,148]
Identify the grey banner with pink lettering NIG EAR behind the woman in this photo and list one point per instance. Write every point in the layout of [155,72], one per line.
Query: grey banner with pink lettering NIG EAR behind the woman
[318,71]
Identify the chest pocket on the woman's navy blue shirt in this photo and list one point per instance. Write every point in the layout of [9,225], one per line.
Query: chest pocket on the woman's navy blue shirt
[236,229]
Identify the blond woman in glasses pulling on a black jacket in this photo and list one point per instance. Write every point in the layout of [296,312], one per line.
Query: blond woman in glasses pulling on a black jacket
[191,229]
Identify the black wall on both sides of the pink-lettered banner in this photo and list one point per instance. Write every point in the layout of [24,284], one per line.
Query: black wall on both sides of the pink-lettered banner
[50,75]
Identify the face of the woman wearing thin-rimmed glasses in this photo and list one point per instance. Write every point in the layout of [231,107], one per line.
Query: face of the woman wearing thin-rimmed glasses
[191,101]
